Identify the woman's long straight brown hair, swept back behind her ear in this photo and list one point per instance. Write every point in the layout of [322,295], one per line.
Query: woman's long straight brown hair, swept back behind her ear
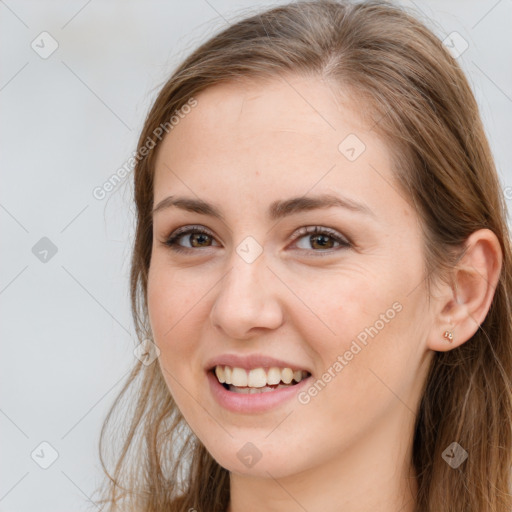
[423,106]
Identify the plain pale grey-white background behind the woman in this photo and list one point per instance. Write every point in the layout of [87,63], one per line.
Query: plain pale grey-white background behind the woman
[68,123]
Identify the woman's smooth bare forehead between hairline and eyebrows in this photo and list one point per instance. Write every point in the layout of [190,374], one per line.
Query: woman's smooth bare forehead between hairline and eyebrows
[279,137]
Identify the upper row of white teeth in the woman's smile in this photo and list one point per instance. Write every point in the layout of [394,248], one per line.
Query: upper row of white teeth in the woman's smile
[257,379]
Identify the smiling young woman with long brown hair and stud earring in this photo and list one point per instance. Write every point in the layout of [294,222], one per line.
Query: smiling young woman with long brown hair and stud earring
[322,266]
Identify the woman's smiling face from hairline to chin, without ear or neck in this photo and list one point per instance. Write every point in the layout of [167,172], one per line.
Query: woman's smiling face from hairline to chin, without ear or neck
[347,305]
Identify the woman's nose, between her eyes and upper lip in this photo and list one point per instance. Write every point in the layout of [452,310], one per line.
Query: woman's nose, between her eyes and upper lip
[247,300]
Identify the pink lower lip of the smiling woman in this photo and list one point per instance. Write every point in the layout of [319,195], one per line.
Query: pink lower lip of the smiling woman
[257,402]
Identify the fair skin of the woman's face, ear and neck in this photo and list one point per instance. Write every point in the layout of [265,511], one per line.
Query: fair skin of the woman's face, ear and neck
[244,146]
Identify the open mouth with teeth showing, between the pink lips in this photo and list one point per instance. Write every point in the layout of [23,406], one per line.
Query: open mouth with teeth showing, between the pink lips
[257,380]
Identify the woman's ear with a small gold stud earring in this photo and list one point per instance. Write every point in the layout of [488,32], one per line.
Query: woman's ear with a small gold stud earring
[462,307]
